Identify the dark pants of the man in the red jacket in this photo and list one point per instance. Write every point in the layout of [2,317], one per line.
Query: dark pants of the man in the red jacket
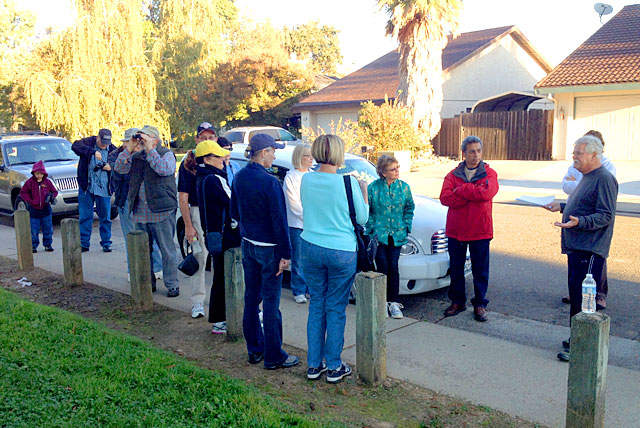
[479,251]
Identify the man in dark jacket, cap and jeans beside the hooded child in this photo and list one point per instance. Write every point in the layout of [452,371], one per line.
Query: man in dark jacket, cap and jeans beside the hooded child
[94,175]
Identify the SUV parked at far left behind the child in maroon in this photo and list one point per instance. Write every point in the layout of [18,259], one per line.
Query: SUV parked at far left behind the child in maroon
[18,153]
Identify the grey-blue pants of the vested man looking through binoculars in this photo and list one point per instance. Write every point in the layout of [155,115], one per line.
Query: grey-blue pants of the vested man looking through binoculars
[163,233]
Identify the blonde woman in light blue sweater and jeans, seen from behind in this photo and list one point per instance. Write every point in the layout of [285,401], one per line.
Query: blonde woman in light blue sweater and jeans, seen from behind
[329,255]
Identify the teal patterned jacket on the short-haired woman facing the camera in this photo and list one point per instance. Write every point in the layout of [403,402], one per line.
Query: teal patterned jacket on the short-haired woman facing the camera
[390,211]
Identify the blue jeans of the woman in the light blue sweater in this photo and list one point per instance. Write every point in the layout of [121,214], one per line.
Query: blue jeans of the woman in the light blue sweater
[329,274]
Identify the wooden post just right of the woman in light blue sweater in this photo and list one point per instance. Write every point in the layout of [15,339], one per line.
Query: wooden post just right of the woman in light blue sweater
[371,346]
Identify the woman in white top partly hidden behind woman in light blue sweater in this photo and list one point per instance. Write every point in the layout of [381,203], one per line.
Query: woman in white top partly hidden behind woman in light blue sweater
[302,162]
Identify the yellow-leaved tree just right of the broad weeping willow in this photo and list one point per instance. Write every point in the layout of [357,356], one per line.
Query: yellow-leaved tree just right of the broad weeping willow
[190,39]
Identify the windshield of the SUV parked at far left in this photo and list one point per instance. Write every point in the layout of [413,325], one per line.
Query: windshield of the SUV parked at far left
[25,153]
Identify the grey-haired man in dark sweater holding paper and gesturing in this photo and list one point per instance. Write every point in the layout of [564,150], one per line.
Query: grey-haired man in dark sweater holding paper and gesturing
[587,221]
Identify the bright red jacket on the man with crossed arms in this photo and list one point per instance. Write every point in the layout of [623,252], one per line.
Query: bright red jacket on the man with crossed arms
[469,216]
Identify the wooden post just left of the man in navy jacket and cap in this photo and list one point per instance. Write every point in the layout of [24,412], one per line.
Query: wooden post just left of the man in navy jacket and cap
[234,292]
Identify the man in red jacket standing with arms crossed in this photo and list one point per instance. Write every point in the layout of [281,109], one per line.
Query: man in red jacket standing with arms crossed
[468,191]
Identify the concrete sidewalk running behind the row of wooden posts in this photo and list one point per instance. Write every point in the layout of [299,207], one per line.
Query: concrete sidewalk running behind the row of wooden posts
[521,380]
